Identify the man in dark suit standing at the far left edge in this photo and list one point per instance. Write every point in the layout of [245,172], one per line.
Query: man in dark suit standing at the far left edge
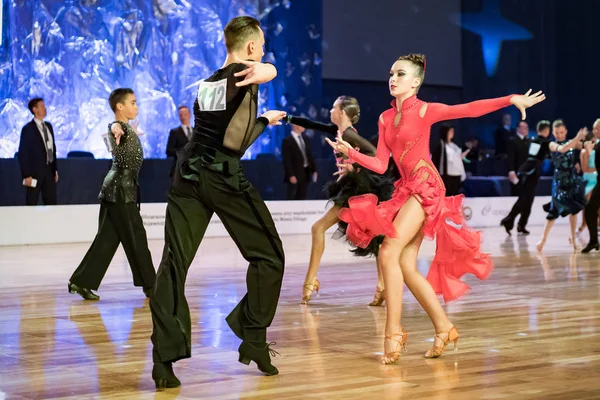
[37,157]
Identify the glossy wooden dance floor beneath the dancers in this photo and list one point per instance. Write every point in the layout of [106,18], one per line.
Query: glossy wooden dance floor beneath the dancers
[532,331]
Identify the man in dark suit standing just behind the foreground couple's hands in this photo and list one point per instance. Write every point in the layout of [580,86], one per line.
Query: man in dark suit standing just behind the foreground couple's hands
[299,163]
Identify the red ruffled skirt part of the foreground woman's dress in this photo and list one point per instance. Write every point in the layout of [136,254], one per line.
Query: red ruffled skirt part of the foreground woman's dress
[457,247]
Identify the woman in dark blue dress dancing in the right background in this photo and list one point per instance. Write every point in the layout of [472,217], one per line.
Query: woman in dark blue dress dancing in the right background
[568,188]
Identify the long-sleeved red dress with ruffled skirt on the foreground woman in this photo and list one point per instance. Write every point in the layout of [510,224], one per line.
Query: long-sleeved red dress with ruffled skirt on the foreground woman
[457,247]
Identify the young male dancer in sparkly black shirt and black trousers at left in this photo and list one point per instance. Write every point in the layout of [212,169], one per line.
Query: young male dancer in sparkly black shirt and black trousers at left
[119,221]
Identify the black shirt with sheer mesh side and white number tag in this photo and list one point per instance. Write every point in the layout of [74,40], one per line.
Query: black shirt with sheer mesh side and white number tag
[225,115]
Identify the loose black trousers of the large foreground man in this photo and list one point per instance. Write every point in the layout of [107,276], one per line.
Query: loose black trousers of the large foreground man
[191,204]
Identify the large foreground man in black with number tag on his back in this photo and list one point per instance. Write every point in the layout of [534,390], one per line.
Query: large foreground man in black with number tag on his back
[208,179]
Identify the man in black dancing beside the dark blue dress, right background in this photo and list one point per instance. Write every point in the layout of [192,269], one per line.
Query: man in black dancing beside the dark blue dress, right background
[538,150]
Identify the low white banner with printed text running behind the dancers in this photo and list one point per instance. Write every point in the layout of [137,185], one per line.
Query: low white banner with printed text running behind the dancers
[79,223]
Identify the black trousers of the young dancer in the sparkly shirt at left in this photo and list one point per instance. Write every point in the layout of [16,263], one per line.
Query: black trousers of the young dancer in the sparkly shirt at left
[118,223]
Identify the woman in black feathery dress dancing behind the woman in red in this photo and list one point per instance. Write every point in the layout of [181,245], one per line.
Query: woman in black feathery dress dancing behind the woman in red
[344,113]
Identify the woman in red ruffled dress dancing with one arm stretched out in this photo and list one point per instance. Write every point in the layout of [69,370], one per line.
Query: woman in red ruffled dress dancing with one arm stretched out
[418,207]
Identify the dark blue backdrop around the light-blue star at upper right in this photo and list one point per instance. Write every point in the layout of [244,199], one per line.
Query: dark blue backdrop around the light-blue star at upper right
[561,59]
